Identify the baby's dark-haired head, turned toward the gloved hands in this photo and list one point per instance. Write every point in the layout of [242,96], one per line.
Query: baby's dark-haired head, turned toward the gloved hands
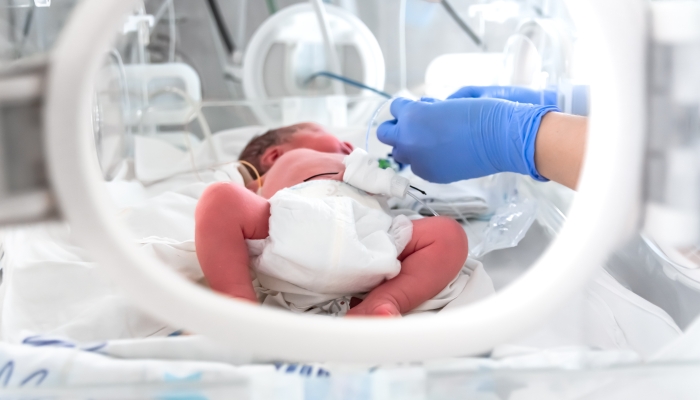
[263,151]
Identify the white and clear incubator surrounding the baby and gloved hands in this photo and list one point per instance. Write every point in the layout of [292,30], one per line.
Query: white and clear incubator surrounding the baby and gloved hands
[116,115]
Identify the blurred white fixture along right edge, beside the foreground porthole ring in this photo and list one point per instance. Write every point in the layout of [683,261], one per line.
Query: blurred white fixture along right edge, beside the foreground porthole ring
[671,218]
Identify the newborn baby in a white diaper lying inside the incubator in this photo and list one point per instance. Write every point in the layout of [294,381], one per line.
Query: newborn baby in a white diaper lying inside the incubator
[228,215]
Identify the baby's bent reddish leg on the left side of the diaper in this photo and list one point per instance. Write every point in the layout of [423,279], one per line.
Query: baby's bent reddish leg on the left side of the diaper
[227,215]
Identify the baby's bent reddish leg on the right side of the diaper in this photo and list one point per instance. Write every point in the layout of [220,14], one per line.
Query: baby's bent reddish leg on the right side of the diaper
[432,258]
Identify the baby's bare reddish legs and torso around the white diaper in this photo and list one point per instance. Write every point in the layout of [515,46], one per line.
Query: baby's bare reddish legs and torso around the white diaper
[228,214]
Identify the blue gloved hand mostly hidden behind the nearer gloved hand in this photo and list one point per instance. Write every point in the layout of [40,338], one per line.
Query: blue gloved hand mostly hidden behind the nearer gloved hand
[512,93]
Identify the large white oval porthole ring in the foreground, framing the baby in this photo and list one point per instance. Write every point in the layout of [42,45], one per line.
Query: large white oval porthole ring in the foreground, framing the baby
[602,216]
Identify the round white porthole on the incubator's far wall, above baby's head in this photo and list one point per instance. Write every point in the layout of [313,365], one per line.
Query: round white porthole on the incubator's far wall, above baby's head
[276,65]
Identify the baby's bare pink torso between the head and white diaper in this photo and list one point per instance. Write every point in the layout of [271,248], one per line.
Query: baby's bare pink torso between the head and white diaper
[299,165]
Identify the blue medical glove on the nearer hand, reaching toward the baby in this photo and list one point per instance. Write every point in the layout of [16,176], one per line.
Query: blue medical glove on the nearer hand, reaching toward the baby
[451,140]
